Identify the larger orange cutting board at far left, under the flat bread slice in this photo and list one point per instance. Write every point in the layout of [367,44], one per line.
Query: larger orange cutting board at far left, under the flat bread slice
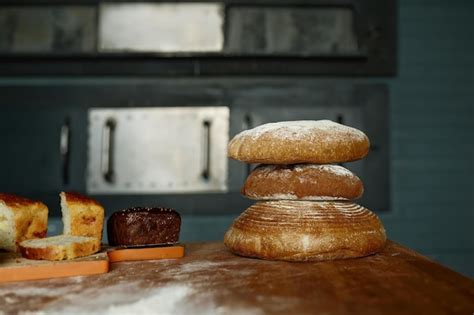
[13,267]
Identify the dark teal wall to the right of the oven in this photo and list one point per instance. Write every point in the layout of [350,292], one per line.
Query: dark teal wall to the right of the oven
[432,130]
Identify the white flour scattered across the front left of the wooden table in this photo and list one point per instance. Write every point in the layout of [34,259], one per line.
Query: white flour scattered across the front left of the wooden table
[182,292]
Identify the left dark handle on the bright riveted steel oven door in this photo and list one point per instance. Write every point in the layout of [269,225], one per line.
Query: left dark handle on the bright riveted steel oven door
[107,158]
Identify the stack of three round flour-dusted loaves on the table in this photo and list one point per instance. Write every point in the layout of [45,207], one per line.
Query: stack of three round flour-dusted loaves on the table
[304,209]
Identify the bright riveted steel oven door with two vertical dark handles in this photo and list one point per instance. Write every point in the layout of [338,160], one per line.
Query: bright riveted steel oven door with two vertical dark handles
[158,150]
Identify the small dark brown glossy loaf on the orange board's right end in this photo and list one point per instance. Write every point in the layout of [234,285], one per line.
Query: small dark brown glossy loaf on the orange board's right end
[144,226]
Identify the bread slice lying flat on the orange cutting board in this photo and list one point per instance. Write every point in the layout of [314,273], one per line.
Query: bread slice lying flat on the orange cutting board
[59,247]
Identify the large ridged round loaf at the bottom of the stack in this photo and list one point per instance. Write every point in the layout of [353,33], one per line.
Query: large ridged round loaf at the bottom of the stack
[305,230]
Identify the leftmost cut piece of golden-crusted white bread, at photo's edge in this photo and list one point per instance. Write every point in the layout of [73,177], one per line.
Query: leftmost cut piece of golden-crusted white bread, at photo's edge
[21,219]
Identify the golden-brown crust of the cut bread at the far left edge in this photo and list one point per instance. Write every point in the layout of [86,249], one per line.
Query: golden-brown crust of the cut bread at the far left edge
[30,217]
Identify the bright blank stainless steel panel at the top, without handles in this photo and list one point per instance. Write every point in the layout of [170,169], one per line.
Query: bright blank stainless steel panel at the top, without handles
[161,27]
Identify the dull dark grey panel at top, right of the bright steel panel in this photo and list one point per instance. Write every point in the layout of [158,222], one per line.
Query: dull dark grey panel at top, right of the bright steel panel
[291,30]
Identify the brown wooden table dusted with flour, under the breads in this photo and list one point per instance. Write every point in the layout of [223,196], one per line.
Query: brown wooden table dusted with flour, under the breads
[210,280]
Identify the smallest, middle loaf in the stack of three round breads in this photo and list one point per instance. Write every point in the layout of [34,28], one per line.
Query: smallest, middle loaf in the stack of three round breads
[302,182]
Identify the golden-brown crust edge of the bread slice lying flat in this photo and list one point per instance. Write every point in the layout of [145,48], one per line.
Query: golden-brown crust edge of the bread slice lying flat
[61,252]
